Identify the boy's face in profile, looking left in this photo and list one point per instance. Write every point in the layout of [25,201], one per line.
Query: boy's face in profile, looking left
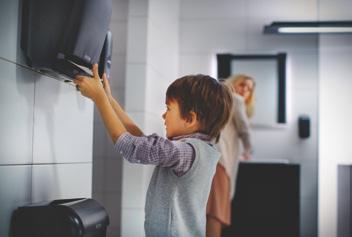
[174,123]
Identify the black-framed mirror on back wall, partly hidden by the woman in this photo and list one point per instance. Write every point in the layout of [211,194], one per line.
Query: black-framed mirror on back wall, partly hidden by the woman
[268,72]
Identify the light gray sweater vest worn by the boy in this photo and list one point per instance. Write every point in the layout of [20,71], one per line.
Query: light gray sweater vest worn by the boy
[176,206]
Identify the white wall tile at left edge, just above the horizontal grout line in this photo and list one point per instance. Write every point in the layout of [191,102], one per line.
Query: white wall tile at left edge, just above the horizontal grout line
[16,114]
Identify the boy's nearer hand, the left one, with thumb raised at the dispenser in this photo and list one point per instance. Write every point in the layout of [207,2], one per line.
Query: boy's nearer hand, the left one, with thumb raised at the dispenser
[90,87]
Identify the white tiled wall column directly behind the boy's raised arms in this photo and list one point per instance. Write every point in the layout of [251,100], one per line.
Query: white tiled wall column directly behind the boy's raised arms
[152,56]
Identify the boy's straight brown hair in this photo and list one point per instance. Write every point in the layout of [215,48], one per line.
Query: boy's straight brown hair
[206,97]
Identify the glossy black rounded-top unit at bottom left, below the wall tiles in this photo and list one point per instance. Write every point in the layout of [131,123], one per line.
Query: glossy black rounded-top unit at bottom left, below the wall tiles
[79,217]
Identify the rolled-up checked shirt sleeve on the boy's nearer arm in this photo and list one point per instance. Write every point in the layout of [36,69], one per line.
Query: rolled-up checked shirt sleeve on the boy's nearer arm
[156,150]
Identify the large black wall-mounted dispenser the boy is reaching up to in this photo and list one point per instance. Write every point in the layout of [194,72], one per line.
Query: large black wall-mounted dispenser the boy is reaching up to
[65,36]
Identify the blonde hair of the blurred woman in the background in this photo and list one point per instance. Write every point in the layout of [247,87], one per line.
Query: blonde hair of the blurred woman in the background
[234,81]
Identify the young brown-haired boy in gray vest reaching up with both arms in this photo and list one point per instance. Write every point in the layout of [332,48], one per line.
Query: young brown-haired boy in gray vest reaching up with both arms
[197,109]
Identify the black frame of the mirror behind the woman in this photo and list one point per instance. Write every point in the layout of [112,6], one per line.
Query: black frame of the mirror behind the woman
[224,71]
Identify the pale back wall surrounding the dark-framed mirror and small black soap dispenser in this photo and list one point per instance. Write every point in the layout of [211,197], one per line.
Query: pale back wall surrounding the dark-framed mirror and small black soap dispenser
[210,27]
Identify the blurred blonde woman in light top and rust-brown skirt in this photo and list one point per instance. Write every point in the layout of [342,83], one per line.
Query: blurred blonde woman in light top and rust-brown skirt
[234,142]
